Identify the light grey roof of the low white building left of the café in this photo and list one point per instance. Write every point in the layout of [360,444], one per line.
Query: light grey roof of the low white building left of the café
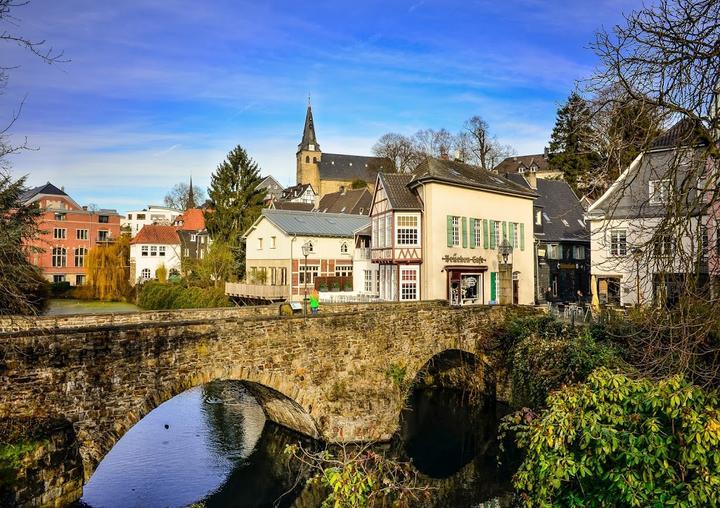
[315,224]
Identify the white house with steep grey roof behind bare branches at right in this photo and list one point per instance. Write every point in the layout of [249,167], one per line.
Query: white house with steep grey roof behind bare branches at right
[632,262]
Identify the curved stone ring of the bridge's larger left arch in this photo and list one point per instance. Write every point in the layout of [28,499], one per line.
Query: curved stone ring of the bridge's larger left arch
[278,398]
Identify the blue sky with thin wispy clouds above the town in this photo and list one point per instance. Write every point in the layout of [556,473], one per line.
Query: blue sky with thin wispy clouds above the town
[157,90]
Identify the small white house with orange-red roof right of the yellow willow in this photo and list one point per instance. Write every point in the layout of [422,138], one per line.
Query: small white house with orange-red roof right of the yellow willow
[152,247]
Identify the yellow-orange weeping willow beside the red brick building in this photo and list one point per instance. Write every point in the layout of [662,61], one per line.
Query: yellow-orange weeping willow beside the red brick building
[108,270]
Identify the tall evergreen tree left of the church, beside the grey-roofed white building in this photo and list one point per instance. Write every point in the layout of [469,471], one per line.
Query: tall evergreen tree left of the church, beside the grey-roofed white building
[235,201]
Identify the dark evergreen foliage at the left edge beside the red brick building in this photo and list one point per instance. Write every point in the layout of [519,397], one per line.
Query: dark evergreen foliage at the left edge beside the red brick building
[23,290]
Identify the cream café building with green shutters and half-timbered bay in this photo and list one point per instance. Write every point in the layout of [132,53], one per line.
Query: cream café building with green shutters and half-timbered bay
[441,232]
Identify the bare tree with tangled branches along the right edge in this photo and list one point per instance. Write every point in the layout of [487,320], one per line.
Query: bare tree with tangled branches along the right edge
[665,59]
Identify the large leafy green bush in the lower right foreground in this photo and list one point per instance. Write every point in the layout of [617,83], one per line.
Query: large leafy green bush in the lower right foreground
[615,441]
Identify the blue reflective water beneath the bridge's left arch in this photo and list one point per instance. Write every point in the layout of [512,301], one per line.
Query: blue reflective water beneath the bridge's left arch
[205,444]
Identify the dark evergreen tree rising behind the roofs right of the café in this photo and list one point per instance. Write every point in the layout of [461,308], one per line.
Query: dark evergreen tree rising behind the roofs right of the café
[571,144]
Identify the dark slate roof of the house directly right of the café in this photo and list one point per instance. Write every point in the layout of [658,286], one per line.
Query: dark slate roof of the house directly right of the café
[563,212]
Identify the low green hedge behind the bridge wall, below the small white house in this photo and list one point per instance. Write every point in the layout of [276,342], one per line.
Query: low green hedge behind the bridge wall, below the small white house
[156,296]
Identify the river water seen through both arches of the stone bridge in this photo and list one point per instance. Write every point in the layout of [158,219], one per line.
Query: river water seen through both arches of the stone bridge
[212,444]
